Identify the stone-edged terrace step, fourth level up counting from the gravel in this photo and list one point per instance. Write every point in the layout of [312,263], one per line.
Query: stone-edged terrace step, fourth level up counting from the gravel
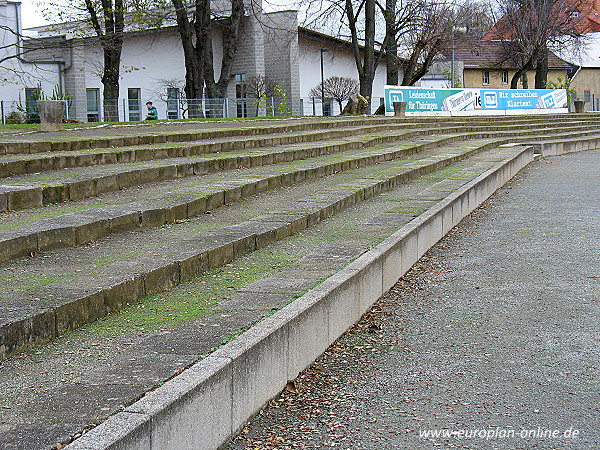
[72,184]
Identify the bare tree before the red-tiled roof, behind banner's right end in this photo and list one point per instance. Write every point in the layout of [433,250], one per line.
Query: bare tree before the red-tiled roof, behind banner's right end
[529,29]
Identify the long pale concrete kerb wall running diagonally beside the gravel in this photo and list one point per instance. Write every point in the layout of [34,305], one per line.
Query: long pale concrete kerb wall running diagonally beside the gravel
[238,379]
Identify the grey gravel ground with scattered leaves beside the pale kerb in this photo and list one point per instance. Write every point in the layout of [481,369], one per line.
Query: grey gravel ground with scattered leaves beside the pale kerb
[493,336]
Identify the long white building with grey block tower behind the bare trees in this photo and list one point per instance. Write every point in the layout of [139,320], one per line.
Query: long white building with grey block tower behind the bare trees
[152,66]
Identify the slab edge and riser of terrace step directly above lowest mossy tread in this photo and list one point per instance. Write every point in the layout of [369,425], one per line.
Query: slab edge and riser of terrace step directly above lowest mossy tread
[41,314]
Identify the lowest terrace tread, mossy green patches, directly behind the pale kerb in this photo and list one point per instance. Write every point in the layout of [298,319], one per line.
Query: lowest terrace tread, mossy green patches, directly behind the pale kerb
[92,373]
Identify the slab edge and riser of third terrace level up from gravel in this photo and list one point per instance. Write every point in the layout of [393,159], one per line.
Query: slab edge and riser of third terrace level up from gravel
[186,201]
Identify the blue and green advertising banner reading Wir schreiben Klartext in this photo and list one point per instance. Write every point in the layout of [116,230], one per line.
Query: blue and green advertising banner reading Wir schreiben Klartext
[424,100]
